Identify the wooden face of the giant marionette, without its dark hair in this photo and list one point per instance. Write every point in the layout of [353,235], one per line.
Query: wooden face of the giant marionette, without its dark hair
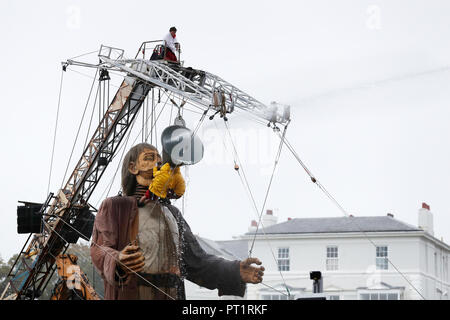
[143,168]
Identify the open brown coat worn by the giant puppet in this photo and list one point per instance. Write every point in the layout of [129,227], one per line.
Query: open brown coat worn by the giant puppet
[114,223]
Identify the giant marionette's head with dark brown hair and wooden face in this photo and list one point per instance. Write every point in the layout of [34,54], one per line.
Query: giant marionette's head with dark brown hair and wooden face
[137,167]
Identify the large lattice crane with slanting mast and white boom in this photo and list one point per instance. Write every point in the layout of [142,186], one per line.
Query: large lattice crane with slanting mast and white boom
[66,216]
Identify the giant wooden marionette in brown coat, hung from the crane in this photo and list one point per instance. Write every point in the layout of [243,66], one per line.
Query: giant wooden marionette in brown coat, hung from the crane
[144,248]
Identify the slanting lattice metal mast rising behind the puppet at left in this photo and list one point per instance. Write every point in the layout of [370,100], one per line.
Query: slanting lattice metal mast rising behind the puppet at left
[35,265]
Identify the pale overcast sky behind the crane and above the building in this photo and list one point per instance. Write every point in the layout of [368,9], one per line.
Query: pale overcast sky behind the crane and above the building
[368,83]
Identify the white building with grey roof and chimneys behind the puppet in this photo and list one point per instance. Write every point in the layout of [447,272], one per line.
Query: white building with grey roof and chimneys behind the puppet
[359,258]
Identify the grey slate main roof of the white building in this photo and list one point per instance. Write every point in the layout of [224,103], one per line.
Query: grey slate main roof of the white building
[338,225]
